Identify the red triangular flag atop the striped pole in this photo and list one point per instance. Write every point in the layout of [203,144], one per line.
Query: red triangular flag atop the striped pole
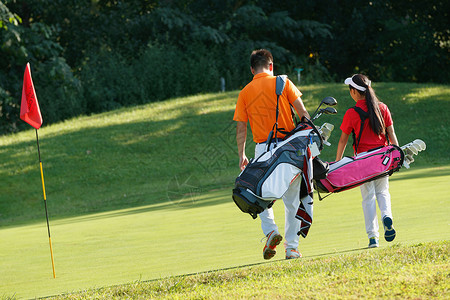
[29,107]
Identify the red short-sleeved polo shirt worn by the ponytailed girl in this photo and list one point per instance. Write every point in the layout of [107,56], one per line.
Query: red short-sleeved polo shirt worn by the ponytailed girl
[369,139]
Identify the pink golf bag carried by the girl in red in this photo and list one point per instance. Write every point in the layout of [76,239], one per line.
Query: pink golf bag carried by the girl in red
[351,172]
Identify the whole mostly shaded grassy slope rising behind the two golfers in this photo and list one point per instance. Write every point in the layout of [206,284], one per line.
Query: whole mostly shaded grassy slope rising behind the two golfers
[143,155]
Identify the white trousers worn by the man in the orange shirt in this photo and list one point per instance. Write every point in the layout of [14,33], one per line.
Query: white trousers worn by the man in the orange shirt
[291,200]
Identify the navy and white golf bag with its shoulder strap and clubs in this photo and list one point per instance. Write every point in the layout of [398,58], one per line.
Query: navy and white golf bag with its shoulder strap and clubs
[269,176]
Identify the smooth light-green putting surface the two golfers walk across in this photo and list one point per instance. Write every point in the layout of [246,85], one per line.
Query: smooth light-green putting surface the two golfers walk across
[202,232]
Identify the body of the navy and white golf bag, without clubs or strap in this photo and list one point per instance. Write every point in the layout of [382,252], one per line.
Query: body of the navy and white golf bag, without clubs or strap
[268,177]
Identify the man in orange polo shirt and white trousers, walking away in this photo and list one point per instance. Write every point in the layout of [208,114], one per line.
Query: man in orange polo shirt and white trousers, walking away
[257,103]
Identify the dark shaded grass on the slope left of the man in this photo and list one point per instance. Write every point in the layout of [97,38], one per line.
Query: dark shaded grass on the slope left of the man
[146,165]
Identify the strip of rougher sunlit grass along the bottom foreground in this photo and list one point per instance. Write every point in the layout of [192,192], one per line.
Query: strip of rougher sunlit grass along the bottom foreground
[419,271]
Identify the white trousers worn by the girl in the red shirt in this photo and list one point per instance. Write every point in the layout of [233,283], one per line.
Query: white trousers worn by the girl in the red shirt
[373,192]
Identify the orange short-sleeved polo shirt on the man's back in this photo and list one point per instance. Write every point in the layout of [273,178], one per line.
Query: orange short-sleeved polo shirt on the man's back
[257,102]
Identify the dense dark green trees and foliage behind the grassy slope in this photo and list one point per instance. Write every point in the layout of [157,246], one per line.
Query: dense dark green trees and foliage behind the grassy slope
[95,55]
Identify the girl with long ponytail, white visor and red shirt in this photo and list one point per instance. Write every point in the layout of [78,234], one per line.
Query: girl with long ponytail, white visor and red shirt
[377,126]
